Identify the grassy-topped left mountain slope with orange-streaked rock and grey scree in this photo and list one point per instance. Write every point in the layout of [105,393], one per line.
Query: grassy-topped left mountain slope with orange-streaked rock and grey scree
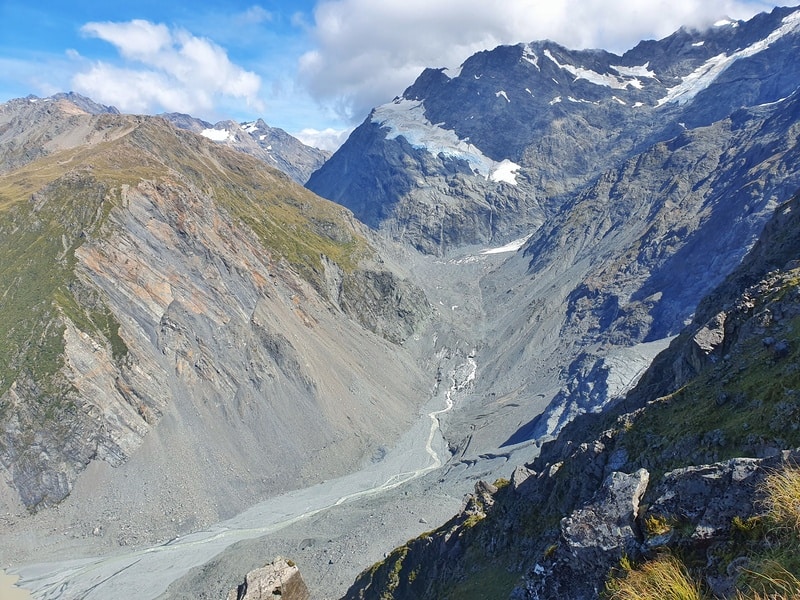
[146,271]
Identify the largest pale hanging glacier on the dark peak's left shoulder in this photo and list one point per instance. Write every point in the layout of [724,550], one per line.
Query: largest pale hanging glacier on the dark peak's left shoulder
[407,118]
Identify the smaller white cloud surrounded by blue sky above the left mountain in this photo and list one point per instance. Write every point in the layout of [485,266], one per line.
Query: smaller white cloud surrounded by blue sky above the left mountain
[165,69]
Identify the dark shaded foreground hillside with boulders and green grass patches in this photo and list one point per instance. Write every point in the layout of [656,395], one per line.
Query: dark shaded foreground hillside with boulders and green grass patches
[674,466]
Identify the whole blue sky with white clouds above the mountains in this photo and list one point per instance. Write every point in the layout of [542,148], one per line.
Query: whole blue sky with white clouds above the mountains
[312,68]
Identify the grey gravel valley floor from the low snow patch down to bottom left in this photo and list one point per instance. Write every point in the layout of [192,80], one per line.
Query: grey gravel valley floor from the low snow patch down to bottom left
[337,528]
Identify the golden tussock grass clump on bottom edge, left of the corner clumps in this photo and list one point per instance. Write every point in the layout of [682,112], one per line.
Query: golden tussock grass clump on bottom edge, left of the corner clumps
[663,578]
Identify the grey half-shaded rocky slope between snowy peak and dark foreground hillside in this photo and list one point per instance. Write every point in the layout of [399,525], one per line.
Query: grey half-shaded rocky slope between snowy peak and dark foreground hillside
[625,263]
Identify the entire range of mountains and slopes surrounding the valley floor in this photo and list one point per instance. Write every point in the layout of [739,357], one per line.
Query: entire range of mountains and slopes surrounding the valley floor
[550,239]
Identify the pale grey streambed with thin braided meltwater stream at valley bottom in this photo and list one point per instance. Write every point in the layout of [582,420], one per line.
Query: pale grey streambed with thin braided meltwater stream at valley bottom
[149,571]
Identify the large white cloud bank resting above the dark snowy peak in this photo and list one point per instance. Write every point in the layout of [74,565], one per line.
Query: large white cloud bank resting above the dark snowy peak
[367,52]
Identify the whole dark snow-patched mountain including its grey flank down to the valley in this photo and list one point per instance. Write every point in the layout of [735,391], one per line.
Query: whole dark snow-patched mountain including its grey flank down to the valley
[632,184]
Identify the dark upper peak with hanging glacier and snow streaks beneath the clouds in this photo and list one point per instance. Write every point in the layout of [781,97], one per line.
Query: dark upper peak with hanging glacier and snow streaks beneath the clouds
[492,151]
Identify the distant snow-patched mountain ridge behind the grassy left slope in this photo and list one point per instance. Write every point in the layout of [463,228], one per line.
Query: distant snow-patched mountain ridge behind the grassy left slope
[270,144]
